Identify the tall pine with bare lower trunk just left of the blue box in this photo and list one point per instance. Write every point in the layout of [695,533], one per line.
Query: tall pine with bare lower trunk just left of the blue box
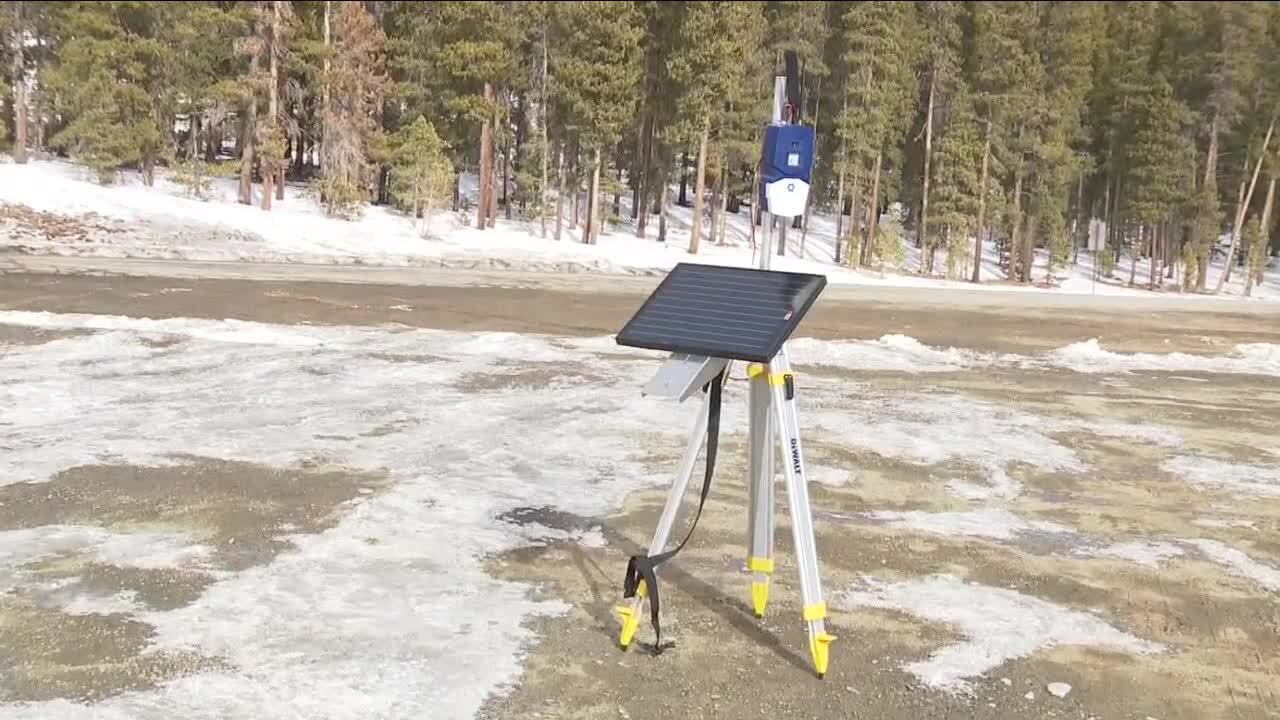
[710,75]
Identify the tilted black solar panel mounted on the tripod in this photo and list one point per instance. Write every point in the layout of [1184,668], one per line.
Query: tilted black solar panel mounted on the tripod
[732,313]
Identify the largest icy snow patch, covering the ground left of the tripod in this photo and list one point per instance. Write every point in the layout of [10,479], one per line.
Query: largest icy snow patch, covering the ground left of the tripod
[388,613]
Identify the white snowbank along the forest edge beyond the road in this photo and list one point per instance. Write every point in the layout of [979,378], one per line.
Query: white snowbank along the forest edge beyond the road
[166,222]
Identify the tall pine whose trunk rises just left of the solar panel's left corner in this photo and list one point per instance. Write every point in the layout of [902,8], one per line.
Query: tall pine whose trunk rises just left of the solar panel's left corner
[596,70]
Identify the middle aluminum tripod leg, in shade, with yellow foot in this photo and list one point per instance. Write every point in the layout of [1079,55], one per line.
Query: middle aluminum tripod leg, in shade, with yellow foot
[760,560]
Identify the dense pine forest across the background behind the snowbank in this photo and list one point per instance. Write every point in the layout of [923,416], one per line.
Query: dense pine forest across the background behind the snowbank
[1142,131]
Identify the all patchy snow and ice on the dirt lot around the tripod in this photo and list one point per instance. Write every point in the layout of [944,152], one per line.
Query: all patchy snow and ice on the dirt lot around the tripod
[391,612]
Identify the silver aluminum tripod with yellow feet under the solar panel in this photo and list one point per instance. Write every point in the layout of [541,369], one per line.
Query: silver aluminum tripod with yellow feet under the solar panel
[772,407]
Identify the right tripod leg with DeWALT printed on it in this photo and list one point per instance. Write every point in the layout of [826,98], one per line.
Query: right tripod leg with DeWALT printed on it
[802,521]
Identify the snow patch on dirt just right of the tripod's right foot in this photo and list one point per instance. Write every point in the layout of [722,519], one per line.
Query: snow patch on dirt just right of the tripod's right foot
[999,626]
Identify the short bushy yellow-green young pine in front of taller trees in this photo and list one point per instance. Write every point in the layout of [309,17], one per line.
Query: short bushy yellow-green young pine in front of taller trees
[422,174]
